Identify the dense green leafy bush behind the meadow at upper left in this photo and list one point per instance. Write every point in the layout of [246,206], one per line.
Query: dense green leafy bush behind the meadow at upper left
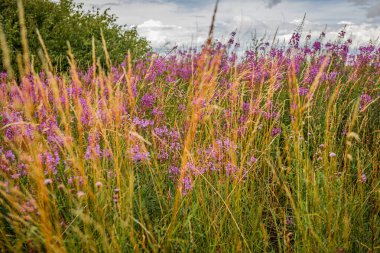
[65,21]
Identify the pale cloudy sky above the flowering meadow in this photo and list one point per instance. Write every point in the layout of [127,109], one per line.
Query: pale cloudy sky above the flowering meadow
[185,22]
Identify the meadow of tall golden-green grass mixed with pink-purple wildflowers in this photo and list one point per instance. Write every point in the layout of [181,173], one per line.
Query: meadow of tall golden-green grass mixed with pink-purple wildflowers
[194,151]
